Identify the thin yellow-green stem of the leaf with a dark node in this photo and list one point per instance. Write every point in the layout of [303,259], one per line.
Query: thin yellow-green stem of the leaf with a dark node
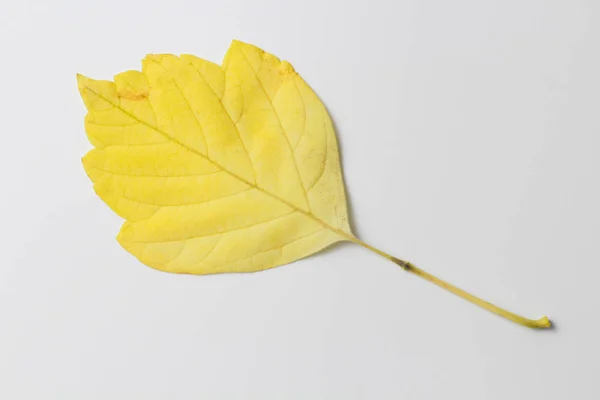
[543,322]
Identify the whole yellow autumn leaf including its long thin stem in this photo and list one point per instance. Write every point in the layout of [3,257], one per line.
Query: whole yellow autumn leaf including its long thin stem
[231,168]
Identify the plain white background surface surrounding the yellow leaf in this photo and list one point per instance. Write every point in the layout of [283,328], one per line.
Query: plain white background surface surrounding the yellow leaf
[469,132]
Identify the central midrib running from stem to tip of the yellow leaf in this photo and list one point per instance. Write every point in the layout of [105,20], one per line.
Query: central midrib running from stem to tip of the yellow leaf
[310,215]
